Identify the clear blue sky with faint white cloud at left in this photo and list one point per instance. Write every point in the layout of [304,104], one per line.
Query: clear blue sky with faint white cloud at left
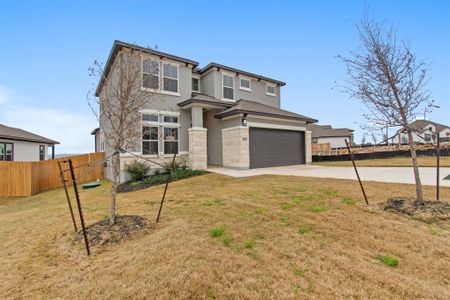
[47,46]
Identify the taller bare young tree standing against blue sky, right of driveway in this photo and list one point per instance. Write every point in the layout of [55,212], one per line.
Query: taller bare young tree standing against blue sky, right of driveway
[386,77]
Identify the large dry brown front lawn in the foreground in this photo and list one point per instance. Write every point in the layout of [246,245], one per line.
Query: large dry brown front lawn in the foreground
[334,256]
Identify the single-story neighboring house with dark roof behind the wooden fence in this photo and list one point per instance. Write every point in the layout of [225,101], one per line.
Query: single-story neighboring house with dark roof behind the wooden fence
[20,145]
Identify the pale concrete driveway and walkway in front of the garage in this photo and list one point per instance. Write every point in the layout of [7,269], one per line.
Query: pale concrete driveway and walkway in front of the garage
[382,174]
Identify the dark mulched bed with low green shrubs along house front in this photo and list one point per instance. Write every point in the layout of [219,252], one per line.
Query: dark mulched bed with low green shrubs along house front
[153,180]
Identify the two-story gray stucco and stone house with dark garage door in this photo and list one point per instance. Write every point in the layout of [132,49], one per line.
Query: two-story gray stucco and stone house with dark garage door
[215,115]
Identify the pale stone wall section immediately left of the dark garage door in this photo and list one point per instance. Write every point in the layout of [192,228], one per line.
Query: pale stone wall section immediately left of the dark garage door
[235,147]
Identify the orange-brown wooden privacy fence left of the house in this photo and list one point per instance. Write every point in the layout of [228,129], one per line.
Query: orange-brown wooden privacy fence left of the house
[28,178]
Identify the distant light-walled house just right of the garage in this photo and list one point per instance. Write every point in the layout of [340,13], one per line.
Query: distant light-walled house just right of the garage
[322,134]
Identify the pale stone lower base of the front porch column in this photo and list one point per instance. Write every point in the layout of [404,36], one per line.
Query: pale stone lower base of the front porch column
[197,148]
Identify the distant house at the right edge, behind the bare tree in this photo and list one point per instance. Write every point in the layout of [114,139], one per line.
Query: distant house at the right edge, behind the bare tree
[425,133]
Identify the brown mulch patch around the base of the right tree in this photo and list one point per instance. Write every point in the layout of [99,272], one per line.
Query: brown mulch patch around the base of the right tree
[429,211]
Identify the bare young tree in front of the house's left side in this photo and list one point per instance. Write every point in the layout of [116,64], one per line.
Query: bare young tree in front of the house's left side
[118,105]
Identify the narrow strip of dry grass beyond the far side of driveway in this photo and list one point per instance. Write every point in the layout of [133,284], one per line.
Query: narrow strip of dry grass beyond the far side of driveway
[424,161]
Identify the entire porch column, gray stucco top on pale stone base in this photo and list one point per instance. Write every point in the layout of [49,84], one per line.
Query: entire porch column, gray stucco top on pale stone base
[197,140]
